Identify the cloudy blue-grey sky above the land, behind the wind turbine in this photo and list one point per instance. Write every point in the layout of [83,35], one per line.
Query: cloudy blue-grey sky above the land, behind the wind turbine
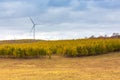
[60,19]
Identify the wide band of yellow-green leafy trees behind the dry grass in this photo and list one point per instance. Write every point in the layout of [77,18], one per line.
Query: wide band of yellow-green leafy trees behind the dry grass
[68,48]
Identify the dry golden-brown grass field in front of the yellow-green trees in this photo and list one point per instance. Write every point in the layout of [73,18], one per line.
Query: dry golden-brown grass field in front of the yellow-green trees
[102,67]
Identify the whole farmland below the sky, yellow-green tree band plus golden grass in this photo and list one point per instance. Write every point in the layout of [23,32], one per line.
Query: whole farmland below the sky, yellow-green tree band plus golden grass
[84,59]
